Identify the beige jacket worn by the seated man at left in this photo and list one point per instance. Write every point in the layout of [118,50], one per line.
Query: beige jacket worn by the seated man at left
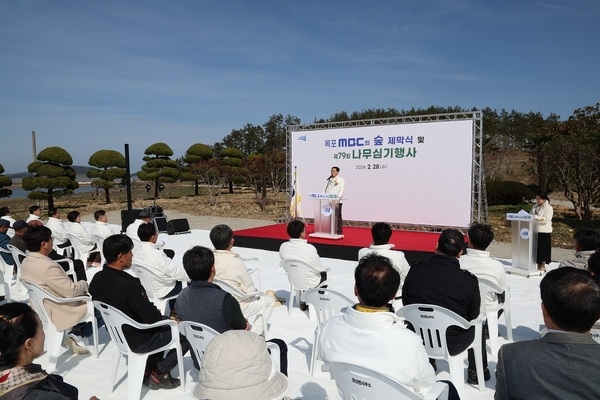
[46,273]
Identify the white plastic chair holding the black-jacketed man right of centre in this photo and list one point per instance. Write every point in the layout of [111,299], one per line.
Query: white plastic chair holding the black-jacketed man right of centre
[431,322]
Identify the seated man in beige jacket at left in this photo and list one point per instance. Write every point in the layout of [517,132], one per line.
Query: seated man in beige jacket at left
[38,268]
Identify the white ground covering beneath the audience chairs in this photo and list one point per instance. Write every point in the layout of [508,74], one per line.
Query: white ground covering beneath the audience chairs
[90,374]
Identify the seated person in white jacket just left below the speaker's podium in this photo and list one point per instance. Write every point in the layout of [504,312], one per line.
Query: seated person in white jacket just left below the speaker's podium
[297,248]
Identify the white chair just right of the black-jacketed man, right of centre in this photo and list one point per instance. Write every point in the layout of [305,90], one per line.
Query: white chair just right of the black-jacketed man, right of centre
[491,312]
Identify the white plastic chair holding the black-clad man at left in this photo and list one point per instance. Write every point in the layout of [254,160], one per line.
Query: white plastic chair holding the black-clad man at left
[136,362]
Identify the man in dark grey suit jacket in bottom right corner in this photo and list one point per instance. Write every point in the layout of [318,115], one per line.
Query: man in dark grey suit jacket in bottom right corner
[562,364]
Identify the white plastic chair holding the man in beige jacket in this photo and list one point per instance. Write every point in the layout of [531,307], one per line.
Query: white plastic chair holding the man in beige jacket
[54,338]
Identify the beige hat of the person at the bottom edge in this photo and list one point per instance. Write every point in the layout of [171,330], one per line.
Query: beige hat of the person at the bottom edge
[237,365]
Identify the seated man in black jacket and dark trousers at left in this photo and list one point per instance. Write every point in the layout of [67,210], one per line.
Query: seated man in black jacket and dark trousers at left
[114,286]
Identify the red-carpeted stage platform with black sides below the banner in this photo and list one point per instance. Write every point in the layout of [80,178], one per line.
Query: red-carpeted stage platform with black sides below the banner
[417,246]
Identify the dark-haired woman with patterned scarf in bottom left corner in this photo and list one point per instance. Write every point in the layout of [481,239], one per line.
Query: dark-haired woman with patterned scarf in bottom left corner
[22,341]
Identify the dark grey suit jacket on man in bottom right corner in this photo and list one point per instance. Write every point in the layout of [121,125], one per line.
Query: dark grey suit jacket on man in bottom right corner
[561,365]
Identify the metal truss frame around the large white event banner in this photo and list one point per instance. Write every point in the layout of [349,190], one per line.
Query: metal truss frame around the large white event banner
[479,207]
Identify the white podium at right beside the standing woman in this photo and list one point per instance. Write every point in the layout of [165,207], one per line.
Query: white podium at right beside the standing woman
[524,245]
